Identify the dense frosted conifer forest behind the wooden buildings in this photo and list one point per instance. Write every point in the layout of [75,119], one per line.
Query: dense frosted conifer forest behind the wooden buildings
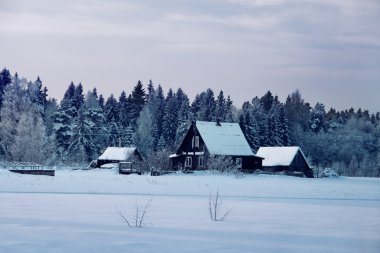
[36,128]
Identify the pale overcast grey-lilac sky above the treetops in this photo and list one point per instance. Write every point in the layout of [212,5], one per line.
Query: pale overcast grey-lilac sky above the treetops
[328,49]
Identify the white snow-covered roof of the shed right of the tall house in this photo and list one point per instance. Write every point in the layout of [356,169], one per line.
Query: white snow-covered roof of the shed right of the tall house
[277,156]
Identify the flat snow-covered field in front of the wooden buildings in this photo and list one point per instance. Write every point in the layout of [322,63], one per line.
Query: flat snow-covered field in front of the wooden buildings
[77,211]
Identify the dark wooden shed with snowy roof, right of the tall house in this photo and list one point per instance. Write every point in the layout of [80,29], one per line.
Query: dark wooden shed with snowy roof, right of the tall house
[288,160]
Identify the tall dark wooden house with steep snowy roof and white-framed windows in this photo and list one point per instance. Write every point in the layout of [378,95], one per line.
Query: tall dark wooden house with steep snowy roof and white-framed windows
[205,139]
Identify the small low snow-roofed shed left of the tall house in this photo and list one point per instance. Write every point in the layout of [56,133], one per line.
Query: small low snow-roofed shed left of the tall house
[119,154]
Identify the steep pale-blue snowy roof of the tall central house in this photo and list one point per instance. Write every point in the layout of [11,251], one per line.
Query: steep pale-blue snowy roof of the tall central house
[226,139]
